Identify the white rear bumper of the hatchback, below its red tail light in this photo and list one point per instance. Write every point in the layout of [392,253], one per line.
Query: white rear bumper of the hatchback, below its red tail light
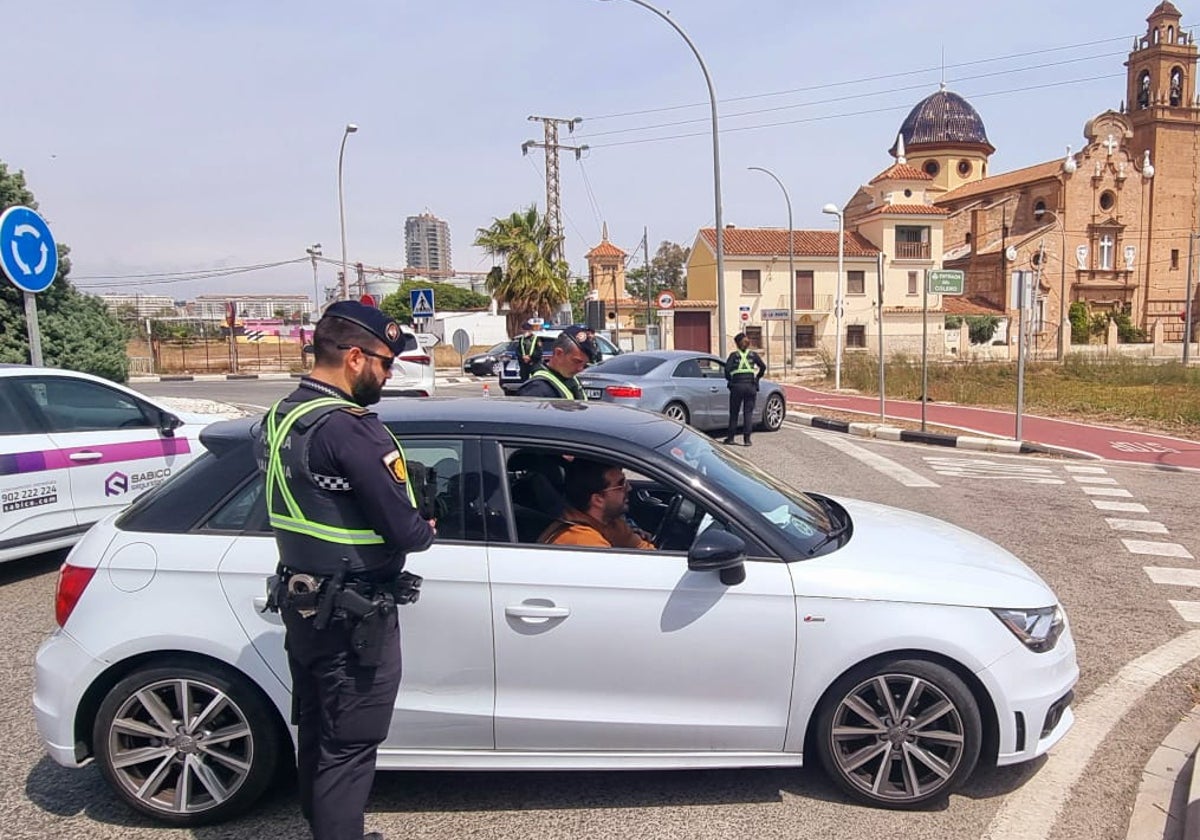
[64,671]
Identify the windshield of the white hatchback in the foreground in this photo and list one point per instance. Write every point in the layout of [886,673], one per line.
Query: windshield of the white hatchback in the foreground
[800,518]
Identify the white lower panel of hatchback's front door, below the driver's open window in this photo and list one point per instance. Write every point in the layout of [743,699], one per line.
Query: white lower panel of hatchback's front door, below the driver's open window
[601,650]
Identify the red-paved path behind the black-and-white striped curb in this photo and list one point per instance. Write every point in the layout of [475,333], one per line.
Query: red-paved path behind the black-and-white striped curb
[1039,434]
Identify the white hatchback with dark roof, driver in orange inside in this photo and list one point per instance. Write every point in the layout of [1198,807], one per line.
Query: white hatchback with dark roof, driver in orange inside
[772,627]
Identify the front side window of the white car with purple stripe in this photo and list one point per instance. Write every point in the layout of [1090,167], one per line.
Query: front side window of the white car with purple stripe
[81,406]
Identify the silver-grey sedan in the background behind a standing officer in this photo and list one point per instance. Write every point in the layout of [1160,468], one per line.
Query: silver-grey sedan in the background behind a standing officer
[686,386]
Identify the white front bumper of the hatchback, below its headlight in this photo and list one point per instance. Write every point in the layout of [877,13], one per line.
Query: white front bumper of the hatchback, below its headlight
[1033,693]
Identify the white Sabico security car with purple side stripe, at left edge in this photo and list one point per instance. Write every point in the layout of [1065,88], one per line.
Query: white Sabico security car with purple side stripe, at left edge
[74,448]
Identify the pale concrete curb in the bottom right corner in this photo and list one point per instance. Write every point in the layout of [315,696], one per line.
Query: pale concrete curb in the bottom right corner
[1168,803]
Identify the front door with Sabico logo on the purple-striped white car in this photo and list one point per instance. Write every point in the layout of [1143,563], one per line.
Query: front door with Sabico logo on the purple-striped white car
[110,440]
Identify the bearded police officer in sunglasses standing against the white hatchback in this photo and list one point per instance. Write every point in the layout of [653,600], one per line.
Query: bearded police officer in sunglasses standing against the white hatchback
[345,518]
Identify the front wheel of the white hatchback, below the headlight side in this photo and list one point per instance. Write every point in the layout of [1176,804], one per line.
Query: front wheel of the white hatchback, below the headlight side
[899,735]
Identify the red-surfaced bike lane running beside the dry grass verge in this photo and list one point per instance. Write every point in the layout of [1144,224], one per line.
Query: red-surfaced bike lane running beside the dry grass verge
[1103,442]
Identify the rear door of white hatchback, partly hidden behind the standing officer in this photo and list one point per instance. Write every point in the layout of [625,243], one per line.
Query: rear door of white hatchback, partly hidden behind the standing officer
[448,688]
